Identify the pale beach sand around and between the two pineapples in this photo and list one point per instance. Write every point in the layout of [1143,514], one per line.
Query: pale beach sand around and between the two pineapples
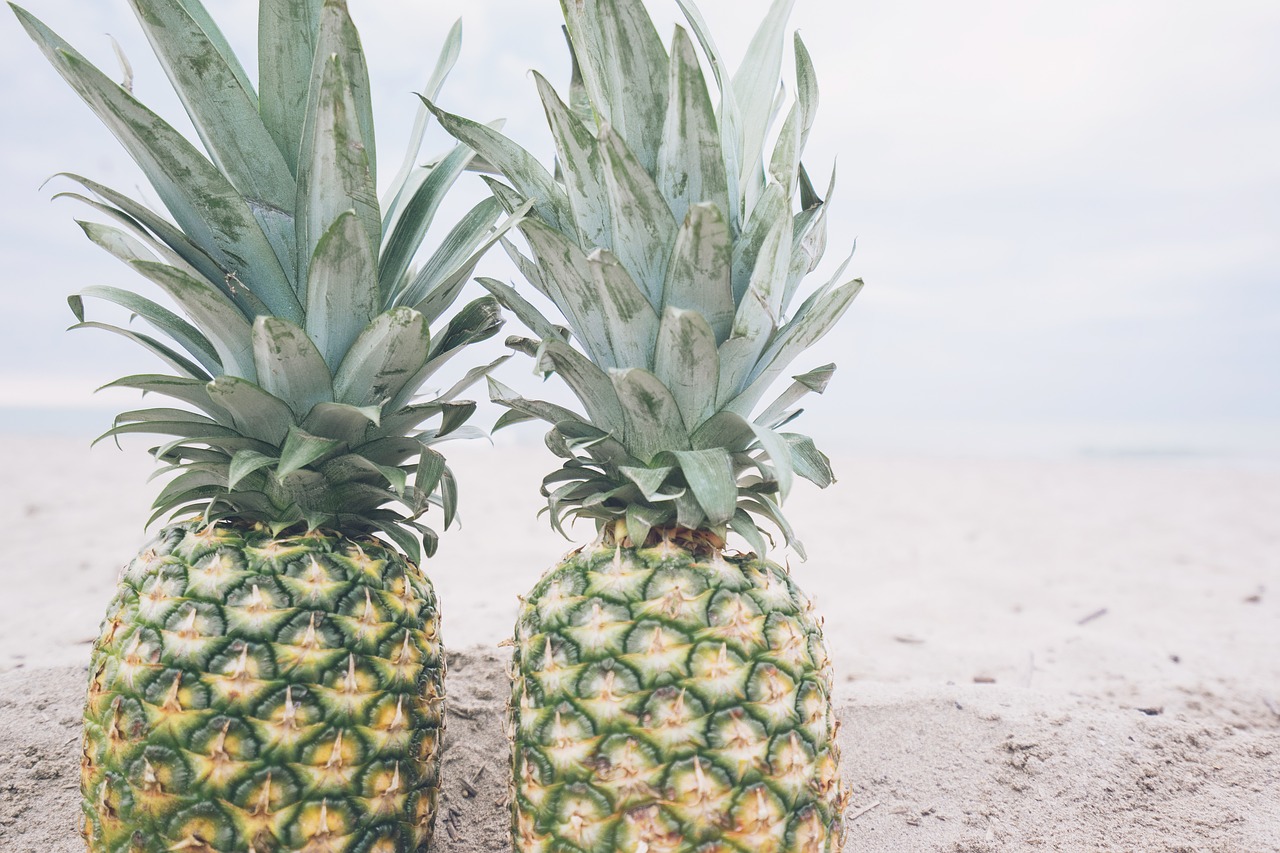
[1031,655]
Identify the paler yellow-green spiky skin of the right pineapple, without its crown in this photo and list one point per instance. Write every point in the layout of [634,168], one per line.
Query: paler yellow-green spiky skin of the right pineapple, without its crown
[669,700]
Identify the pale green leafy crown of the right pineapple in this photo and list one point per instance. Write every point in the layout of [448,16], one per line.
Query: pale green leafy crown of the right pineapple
[673,247]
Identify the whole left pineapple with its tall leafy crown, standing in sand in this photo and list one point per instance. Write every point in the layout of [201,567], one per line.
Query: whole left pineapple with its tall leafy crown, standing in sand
[269,676]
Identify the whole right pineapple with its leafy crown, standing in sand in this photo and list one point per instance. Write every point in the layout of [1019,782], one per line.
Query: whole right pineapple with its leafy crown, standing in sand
[670,695]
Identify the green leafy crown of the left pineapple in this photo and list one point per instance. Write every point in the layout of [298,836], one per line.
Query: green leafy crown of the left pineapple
[308,332]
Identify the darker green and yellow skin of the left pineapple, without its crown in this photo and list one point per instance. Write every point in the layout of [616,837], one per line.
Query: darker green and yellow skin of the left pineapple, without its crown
[259,694]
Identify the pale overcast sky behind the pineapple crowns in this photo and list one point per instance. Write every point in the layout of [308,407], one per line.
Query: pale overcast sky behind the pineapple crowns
[1066,212]
